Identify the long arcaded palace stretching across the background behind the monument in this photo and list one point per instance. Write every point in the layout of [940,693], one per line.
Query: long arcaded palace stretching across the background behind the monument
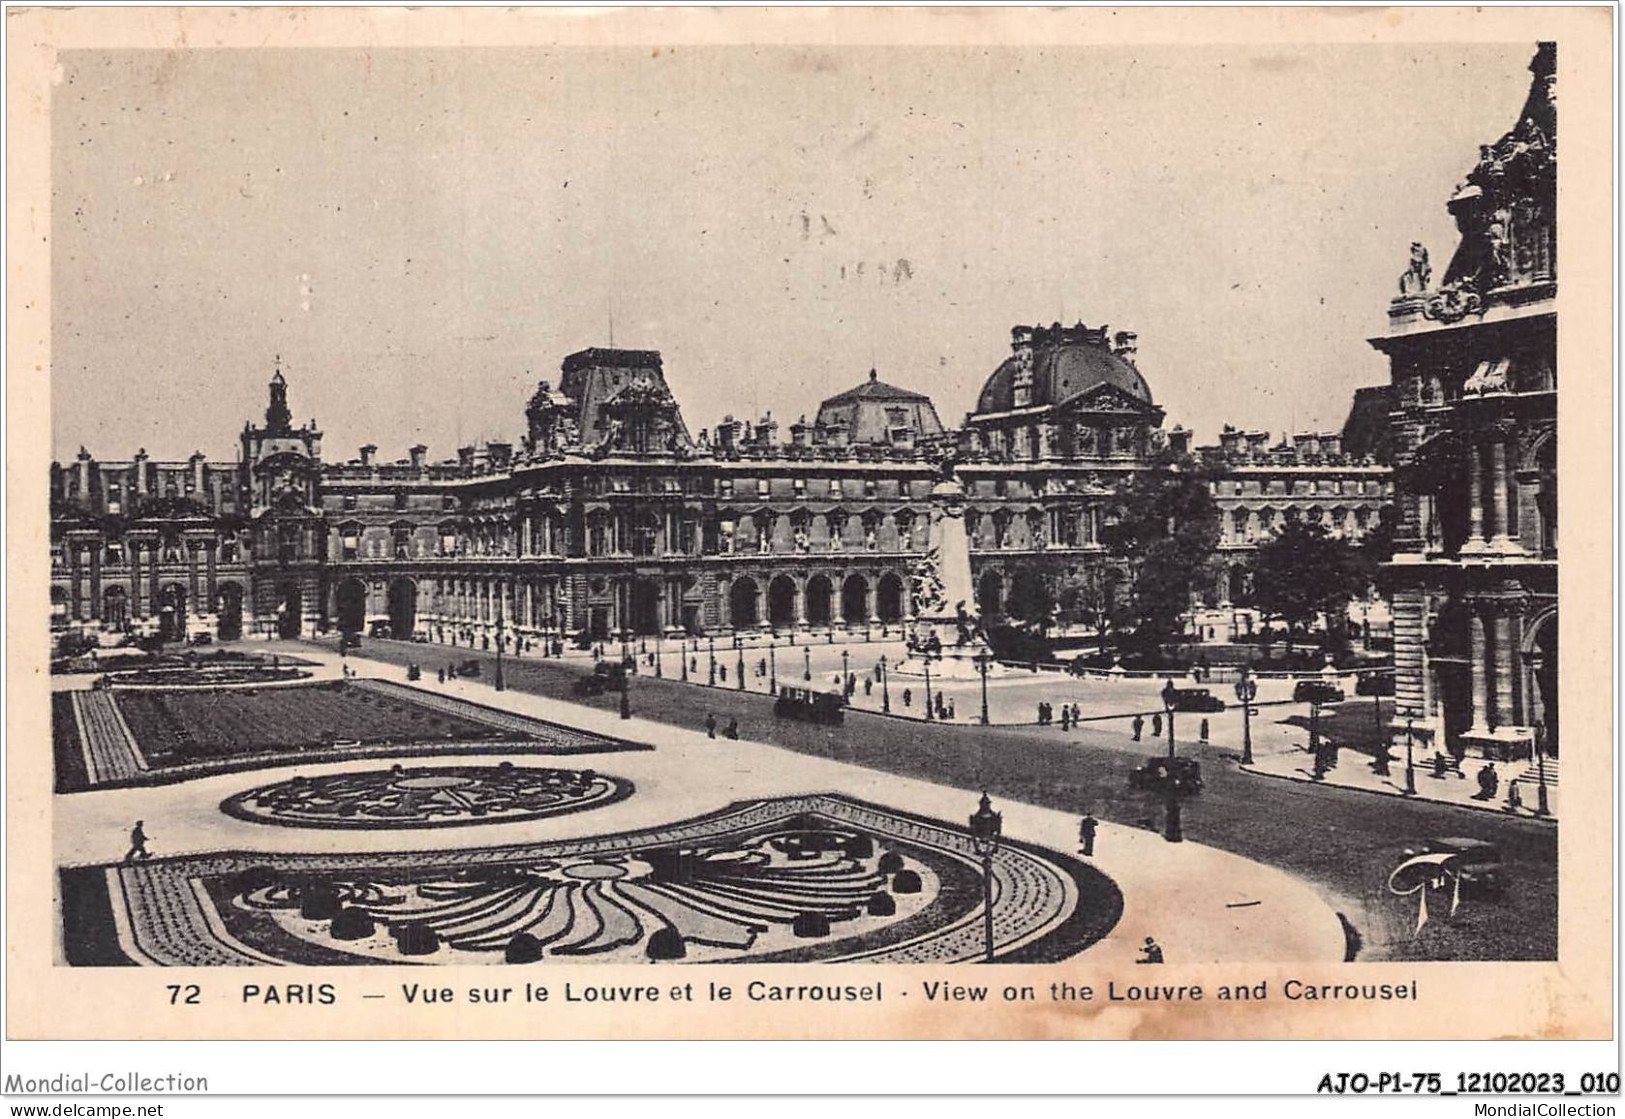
[613,517]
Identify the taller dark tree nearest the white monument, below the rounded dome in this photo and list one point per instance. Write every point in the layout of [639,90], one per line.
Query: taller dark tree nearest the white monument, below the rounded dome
[1164,535]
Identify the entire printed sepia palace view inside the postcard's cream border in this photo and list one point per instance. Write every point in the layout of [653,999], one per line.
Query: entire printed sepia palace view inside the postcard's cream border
[1057,676]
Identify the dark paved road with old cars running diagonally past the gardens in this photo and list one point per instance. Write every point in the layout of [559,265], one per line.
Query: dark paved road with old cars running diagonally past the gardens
[1345,840]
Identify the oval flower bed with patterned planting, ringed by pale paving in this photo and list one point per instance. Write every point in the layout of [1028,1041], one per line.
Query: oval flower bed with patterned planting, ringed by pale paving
[427,797]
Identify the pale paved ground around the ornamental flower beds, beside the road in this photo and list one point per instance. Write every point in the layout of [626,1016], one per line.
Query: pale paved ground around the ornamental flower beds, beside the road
[1200,902]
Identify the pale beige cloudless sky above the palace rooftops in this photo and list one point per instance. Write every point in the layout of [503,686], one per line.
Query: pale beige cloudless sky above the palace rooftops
[422,236]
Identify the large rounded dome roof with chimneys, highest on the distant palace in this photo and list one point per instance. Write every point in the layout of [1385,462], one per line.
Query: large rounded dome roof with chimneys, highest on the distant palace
[1065,361]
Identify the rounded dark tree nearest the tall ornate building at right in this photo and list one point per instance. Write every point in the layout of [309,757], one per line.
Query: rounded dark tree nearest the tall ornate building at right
[1302,572]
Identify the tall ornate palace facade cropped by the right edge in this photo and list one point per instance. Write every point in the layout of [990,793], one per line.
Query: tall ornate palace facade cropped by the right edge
[1475,431]
